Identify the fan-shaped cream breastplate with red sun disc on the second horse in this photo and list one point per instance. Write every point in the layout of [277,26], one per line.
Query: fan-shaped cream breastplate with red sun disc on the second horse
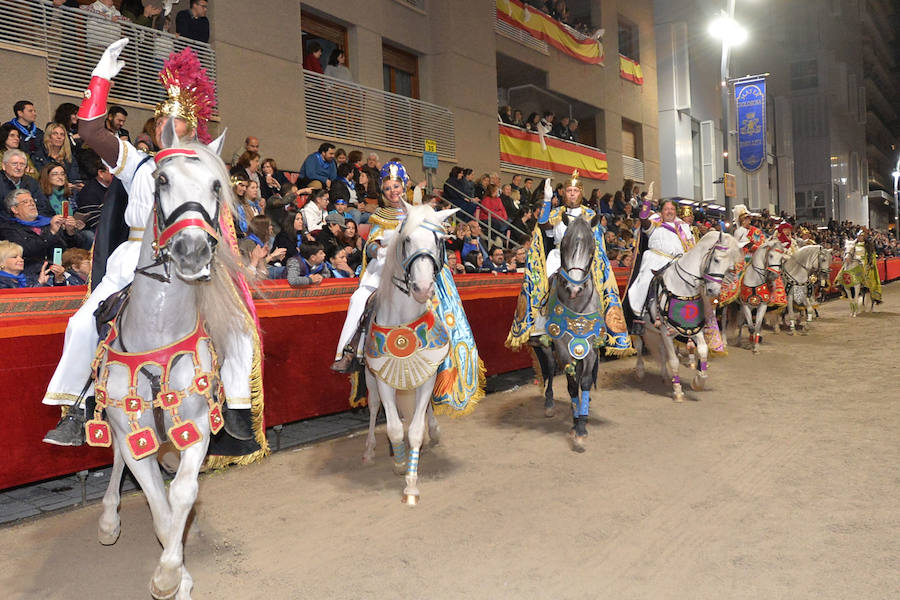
[405,356]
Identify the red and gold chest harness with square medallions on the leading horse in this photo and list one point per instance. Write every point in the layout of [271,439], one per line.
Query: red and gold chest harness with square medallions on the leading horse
[142,441]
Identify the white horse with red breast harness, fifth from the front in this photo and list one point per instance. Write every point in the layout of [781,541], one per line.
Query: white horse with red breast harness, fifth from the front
[756,284]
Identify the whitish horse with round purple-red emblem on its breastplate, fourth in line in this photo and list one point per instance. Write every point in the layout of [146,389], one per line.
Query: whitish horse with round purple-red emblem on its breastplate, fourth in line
[677,304]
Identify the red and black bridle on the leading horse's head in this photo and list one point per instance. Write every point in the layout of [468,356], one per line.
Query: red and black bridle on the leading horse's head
[166,226]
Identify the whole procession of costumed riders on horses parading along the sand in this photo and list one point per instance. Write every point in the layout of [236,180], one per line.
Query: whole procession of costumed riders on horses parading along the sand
[167,349]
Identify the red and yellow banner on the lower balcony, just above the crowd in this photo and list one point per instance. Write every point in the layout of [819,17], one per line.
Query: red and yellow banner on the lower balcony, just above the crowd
[521,147]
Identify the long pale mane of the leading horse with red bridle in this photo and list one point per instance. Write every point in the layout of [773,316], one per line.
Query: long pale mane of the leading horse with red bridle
[219,302]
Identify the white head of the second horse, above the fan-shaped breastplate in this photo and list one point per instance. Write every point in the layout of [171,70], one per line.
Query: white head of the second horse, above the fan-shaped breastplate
[419,251]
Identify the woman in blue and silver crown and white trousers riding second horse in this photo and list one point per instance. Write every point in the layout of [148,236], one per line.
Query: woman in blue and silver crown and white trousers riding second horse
[385,220]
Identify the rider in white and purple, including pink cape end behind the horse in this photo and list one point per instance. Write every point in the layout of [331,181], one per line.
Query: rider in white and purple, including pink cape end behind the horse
[667,238]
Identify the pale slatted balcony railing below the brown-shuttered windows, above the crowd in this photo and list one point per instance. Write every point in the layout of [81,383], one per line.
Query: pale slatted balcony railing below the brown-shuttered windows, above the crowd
[343,110]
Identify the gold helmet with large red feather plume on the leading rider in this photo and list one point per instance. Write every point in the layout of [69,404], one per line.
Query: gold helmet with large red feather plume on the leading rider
[191,94]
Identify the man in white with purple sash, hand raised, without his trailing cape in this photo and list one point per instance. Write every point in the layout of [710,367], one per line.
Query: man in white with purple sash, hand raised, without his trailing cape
[668,237]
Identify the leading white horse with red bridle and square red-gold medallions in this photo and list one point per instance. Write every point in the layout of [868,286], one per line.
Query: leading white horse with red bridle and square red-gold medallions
[157,370]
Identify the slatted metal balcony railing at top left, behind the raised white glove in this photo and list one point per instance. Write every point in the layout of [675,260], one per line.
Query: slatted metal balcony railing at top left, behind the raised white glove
[74,39]
